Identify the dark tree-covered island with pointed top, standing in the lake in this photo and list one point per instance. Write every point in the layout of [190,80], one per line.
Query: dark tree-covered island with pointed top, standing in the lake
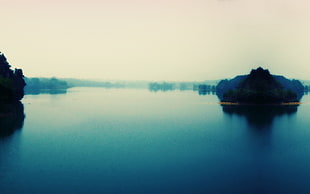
[259,87]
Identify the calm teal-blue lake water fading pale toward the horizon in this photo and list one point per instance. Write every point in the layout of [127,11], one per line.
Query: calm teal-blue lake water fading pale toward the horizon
[96,140]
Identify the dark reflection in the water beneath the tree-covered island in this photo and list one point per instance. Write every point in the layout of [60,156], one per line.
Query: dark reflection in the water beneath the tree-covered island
[259,116]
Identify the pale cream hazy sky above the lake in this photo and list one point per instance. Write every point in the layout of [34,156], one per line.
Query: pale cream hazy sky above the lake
[156,39]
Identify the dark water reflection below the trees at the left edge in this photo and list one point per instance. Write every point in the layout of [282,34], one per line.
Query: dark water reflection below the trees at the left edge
[11,118]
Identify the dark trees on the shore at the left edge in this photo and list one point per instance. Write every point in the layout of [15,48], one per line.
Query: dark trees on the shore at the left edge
[11,82]
